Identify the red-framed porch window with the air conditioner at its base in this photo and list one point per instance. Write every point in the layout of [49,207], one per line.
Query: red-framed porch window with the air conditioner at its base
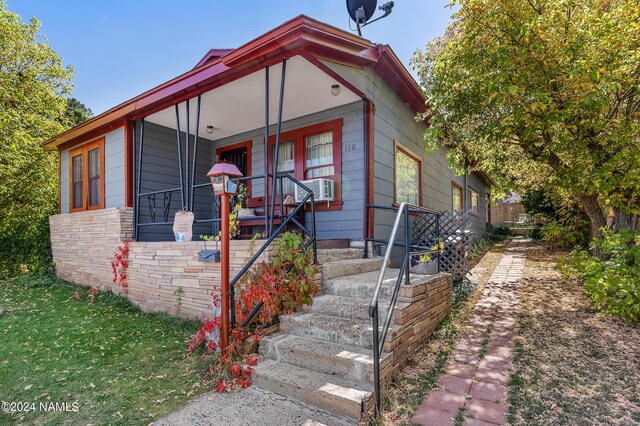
[309,153]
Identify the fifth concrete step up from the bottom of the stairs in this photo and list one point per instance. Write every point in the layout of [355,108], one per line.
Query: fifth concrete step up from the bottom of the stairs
[363,285]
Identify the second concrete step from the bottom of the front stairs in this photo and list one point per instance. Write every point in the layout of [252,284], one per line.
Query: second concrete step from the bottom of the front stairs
[330,358]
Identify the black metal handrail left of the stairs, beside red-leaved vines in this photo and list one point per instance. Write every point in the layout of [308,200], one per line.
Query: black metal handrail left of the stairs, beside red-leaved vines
[289,218]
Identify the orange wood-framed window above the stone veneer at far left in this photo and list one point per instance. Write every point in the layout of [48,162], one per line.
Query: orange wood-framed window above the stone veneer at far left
[86,177]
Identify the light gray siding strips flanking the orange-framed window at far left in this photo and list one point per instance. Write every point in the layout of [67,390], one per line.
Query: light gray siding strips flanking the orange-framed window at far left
[114,171]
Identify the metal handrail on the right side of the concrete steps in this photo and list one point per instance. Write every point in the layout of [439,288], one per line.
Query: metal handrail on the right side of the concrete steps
[405,209]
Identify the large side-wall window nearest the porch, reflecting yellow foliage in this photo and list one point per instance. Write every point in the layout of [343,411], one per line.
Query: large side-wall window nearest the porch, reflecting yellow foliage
[408,179]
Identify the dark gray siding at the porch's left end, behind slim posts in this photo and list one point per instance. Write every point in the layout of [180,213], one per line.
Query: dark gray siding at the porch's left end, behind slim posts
[160,171]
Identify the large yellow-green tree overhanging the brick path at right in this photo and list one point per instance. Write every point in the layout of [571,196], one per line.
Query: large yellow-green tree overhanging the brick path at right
[542,93]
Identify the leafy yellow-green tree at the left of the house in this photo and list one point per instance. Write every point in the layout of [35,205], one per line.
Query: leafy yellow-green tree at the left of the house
[33,87]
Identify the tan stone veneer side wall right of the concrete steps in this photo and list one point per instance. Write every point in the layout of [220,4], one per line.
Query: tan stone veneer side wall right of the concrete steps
[419,310]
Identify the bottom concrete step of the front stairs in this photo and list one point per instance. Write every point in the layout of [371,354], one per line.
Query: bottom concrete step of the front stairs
[336,394]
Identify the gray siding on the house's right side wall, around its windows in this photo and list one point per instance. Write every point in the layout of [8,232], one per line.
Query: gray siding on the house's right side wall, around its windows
[395,121]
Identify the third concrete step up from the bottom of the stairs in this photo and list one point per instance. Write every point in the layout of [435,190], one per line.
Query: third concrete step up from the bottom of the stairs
[344,331]
